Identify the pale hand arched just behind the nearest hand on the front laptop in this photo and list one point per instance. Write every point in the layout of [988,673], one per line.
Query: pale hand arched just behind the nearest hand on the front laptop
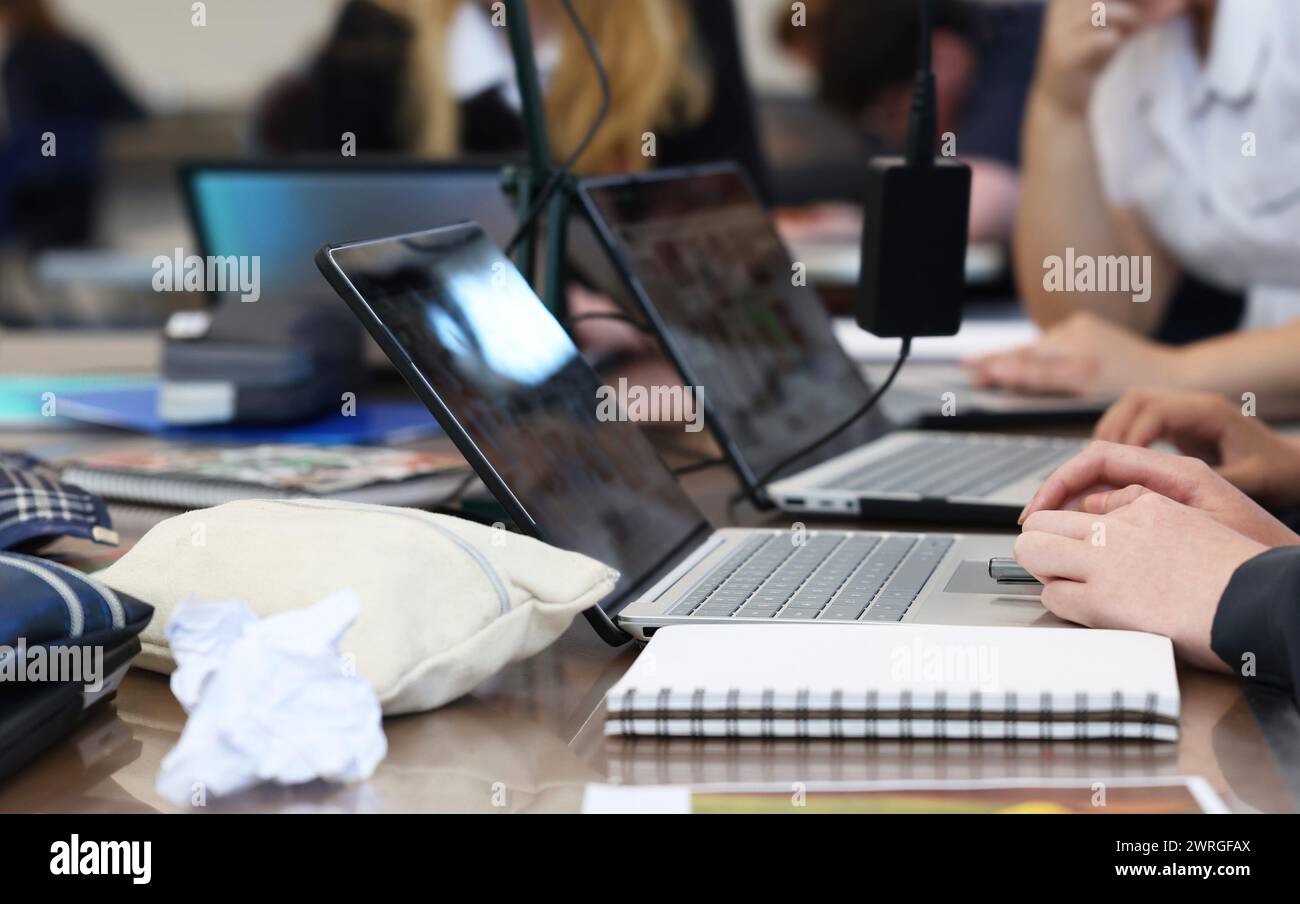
[1106,478]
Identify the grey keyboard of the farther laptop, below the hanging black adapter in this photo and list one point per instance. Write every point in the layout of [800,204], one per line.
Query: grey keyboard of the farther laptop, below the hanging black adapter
[957,466]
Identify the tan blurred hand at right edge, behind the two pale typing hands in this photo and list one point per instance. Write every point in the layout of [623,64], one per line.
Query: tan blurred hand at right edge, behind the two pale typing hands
[1256,460]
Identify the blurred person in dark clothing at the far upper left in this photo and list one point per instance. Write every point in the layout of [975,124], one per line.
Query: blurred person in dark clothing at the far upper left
[57,98]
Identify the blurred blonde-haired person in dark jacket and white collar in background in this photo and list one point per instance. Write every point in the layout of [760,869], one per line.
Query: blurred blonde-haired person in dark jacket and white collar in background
[436,79]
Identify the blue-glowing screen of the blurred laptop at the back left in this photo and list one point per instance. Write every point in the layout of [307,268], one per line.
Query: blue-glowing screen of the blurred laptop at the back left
[285,214]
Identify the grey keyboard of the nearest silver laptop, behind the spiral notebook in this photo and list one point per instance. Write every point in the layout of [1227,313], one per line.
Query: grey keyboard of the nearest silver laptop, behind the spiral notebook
[830,578]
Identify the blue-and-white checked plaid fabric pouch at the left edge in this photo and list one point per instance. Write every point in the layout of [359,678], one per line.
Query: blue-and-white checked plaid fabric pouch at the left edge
[37,508]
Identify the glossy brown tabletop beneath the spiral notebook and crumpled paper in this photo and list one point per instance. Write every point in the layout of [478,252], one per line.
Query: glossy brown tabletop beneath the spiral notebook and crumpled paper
[531,739]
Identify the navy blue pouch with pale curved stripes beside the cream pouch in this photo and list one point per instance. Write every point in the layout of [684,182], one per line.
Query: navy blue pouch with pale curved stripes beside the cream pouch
[47,604]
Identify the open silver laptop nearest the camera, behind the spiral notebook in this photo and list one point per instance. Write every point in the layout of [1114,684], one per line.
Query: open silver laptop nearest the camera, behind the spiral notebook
[517,397]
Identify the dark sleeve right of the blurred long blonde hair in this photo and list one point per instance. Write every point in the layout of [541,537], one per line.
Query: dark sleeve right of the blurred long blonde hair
[730,132]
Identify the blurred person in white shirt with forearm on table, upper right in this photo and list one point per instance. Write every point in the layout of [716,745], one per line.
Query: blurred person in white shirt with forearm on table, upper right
[1168,136]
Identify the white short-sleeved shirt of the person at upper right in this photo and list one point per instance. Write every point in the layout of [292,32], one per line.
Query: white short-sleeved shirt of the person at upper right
[1175,139]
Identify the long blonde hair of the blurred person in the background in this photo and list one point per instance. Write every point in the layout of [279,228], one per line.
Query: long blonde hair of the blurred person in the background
[657,79]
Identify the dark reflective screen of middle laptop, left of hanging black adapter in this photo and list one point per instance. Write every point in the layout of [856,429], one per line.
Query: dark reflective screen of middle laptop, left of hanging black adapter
[713,274]
